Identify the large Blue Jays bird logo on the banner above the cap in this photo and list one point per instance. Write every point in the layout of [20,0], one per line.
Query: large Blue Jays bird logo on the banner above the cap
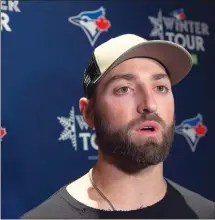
[93,23]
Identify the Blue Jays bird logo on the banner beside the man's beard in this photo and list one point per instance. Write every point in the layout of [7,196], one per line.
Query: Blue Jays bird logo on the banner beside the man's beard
[192,129]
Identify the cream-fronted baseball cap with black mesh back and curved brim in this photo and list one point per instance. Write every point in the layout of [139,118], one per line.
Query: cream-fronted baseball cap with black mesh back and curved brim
[176,59]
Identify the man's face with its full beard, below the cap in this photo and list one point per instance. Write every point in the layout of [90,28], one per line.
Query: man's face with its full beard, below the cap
[134,114]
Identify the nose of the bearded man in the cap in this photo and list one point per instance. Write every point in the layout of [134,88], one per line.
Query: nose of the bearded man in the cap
[147,103]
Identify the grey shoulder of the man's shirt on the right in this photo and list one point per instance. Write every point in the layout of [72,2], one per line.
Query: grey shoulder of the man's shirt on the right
[203,207]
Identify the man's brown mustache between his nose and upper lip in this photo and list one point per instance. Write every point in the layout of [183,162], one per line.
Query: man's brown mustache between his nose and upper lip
[146,117]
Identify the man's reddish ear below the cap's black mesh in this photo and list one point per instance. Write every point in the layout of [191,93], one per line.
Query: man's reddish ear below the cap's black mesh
[85,106]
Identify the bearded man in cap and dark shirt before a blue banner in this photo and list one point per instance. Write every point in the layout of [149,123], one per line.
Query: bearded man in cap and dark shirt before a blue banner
[130,104]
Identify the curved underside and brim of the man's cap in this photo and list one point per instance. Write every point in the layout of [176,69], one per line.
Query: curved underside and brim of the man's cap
[176,59]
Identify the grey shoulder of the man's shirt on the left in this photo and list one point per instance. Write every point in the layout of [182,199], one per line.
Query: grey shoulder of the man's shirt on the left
[56,206]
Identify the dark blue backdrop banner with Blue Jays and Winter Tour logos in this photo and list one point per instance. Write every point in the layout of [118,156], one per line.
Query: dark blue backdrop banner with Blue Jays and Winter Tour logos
[46,46]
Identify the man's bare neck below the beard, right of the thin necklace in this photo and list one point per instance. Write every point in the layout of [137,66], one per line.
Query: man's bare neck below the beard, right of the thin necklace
[129,191]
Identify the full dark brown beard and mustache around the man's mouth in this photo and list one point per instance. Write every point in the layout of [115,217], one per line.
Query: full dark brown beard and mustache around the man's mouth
[118,148]
